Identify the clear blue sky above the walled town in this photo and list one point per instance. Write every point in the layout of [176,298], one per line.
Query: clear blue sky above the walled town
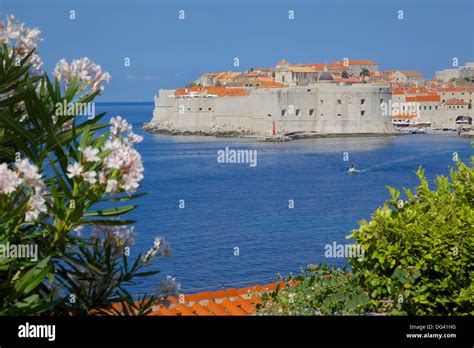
[167,52]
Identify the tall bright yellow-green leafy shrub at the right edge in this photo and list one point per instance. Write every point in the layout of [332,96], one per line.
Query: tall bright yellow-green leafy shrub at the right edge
[419,253]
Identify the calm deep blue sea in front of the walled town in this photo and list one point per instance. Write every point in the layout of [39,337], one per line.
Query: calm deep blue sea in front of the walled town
[234,205]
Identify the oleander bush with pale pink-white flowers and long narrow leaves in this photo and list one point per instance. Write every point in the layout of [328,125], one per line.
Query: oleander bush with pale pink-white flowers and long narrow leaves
[65,184]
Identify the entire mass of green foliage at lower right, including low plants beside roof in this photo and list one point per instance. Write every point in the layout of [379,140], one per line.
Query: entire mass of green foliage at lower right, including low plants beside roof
[418,259]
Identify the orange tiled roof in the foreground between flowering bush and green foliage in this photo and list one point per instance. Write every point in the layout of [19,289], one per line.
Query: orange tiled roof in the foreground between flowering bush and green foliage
[223,302]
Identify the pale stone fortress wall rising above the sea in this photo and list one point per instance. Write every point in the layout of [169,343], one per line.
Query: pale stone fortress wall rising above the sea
[324,108]
